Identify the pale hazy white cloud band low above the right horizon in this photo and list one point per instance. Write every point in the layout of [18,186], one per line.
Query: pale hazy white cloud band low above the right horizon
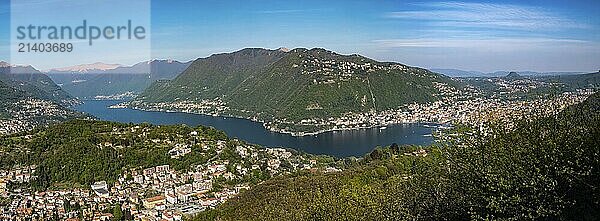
[490,54]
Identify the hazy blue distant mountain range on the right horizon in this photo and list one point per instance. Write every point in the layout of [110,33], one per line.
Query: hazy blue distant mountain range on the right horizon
[463,73]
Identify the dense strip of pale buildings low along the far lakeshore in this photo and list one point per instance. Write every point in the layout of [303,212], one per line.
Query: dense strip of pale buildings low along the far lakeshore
[468,112]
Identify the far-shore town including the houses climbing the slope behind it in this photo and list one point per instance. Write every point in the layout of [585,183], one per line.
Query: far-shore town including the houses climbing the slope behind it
[465,106]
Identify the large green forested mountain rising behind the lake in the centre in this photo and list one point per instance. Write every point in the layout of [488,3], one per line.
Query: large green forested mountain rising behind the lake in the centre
[287,88]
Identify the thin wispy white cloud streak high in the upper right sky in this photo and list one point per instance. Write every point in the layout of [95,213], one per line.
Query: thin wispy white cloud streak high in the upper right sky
[485,15]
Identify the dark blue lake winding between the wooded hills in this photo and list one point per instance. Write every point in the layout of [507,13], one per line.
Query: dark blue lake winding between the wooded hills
[335,143]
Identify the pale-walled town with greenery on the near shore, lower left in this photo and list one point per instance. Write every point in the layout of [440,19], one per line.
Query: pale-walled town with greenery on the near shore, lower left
[155,193]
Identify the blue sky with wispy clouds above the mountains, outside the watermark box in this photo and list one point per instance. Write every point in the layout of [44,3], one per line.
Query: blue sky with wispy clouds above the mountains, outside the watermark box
[471,35]
